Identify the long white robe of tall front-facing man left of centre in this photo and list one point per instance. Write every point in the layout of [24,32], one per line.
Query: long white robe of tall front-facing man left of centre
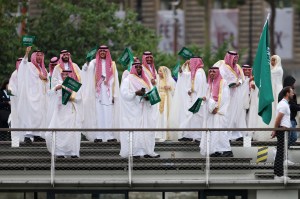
[100,111]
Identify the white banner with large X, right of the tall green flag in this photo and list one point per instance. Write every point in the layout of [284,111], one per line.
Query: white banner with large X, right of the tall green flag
[283,37]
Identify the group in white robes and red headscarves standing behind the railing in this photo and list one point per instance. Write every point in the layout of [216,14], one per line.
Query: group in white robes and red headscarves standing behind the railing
[229,99]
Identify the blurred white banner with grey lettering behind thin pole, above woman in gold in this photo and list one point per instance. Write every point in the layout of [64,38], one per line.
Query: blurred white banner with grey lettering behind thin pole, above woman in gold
[165,29]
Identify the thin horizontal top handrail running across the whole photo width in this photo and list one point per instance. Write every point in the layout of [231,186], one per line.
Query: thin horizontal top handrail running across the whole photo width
[149,129]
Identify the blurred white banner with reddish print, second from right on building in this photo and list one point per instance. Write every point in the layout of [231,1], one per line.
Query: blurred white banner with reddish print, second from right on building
[224,26]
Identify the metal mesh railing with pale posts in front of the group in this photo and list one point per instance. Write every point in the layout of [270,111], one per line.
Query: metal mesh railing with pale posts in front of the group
[100,163]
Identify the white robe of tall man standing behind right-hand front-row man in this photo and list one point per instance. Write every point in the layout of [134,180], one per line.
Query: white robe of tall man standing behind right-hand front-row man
[237,118]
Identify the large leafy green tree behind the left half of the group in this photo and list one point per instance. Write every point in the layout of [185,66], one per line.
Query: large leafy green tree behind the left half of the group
[79,26]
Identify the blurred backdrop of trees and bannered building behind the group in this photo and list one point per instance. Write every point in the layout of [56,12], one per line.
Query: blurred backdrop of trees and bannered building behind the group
[208,27]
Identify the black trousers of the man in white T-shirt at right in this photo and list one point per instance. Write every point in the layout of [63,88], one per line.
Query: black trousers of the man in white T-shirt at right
[278,164]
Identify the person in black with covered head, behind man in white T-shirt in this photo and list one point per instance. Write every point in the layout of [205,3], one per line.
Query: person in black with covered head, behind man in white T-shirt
[294,107]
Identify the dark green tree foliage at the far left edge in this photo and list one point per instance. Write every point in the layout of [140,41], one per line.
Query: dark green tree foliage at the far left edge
[10,42]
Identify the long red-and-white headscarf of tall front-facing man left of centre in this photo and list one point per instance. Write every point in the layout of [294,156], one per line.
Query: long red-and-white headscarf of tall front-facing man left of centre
[108,68]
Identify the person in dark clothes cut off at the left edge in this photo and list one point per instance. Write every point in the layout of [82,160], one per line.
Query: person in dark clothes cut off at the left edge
[4,111]
